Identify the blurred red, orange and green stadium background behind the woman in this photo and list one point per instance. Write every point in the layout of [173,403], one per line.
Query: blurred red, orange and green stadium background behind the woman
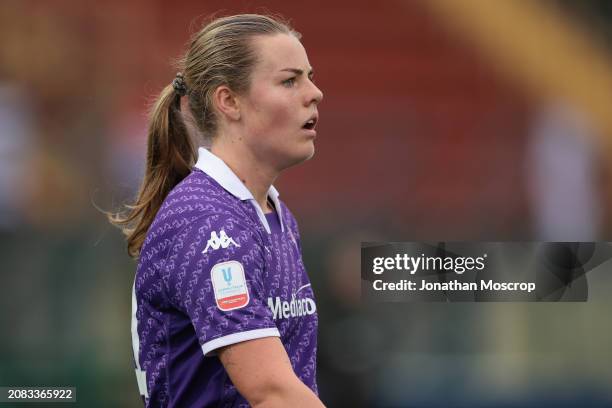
[442,120]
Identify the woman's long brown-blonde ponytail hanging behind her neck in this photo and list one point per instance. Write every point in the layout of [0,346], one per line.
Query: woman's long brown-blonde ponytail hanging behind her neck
[170,157]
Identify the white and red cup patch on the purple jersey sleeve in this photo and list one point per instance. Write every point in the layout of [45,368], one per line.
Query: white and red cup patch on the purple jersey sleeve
[229,284]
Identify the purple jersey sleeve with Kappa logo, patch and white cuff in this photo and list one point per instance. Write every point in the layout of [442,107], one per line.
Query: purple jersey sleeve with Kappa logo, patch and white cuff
[216,277]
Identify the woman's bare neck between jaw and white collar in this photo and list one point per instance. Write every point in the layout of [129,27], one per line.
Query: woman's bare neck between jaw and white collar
[256,177]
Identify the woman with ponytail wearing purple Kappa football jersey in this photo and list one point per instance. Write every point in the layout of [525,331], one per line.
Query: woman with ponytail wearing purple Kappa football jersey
[222,311]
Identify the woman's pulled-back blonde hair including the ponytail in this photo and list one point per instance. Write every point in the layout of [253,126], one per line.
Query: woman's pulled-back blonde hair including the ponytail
[219,54]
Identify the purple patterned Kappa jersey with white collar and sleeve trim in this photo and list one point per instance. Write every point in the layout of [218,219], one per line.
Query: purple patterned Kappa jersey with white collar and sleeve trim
[215,270]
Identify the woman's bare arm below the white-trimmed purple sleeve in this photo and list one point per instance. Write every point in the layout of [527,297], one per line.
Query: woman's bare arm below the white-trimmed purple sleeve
[261,371]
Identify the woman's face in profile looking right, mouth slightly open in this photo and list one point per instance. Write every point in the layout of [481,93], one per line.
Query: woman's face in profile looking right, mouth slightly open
[279,111]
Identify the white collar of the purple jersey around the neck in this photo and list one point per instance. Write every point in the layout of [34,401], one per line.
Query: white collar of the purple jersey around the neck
[222,174]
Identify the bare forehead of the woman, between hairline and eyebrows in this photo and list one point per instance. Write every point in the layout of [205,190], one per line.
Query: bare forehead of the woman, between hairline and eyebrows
[278,51]
